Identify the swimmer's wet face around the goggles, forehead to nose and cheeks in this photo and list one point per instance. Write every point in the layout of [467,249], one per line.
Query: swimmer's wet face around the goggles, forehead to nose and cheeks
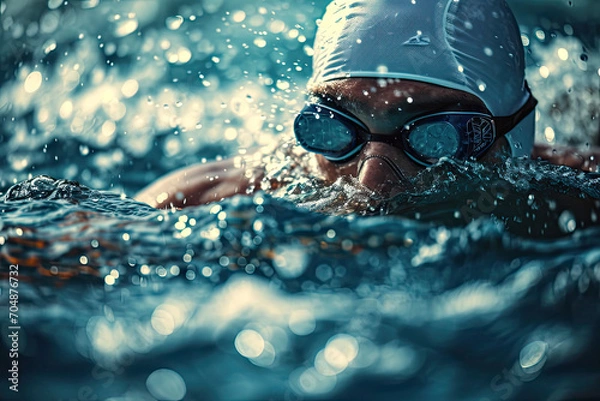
[385,106]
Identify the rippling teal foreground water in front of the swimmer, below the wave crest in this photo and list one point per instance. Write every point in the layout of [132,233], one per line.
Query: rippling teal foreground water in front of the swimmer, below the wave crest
[311,304]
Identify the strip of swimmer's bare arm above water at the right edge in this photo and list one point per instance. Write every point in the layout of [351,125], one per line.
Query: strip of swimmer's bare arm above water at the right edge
[583,160]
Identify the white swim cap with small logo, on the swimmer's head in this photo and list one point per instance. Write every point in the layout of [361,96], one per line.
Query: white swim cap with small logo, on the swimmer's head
[470,45]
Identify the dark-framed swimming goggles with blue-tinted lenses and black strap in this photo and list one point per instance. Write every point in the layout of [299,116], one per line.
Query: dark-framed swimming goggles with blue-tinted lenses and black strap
[338,135]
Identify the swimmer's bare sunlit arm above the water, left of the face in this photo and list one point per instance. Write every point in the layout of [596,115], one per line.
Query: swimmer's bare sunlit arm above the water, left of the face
[198,184]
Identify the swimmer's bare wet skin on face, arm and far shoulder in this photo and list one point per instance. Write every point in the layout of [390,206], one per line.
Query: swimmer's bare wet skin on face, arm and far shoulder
[384,106]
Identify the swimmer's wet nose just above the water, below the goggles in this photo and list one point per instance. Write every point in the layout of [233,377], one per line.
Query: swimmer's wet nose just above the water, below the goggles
[382,169]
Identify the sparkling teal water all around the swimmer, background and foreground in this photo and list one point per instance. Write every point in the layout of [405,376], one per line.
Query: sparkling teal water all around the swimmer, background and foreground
[485,286]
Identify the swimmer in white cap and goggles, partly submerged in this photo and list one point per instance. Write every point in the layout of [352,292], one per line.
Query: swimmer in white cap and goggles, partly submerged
[395,87]
